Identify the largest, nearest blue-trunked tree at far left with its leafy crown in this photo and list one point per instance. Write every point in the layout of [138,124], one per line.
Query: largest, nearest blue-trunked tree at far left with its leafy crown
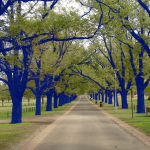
[26,34]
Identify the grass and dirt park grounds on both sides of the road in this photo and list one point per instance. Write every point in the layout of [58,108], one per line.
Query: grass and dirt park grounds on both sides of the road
[14,136]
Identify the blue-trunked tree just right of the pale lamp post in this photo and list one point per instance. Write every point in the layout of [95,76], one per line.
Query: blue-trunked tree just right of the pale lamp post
[109,53]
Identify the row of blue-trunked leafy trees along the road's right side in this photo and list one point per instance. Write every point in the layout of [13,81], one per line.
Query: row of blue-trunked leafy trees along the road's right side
[118,45]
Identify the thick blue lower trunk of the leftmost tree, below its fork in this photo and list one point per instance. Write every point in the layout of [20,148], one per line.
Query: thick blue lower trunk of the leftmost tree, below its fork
[16,112]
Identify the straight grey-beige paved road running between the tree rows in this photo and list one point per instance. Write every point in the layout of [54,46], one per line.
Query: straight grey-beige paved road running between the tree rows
[86,128]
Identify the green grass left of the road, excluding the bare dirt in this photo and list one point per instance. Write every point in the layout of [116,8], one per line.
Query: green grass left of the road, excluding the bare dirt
[11,134]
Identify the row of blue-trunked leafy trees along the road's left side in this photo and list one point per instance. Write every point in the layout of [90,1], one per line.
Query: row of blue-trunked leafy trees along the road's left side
[31,57]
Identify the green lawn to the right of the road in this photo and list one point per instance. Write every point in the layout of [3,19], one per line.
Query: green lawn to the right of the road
[140,121]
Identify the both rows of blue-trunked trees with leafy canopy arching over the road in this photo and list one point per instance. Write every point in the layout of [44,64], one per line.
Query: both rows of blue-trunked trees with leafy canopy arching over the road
[40,48]
